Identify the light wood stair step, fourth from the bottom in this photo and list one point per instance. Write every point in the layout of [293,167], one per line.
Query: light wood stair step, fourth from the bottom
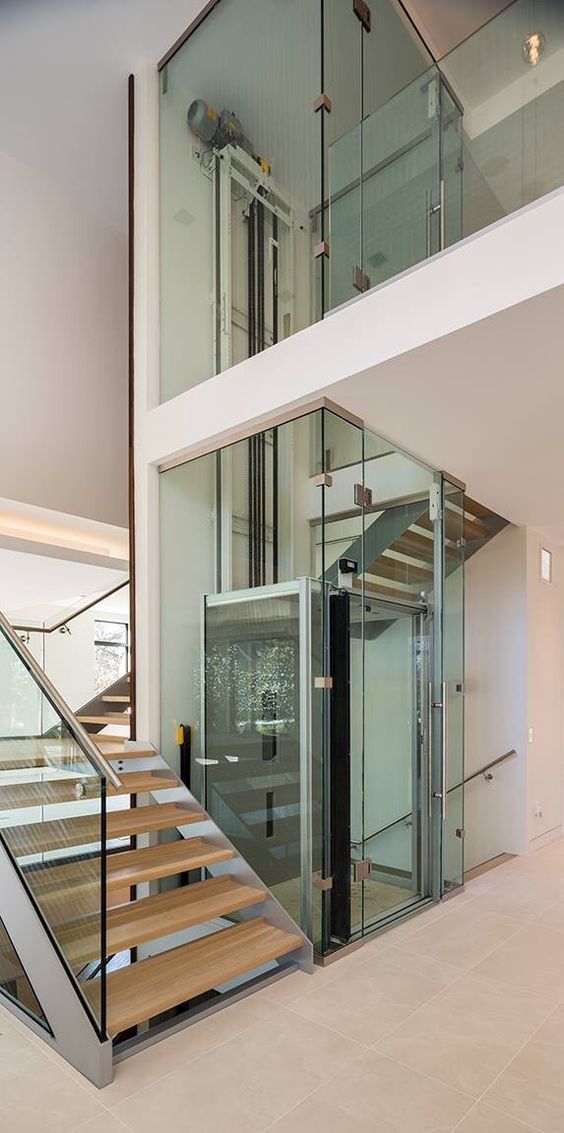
[64,833]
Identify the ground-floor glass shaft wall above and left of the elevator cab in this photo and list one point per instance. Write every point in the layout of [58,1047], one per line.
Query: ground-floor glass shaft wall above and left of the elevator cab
[252,512]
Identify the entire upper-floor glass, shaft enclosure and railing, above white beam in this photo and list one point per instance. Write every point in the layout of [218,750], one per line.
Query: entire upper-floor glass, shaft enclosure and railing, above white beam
[331,152]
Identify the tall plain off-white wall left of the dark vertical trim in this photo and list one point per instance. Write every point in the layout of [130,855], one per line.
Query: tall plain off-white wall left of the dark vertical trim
[63,351]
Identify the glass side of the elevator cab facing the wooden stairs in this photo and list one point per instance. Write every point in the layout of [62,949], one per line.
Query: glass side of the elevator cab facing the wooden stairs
[259,745]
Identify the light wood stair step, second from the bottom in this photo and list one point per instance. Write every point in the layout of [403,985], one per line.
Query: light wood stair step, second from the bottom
[157,917]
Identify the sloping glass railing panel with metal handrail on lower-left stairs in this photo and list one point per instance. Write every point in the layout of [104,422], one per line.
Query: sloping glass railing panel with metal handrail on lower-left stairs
[54,820]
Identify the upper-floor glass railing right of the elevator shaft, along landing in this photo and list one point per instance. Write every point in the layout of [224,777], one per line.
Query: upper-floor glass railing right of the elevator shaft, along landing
[471,141]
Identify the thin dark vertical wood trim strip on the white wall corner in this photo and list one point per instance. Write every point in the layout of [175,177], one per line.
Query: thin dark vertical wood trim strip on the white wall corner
[133,620]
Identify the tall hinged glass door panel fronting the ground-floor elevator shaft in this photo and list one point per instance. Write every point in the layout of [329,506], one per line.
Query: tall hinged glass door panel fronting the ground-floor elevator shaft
[399,607]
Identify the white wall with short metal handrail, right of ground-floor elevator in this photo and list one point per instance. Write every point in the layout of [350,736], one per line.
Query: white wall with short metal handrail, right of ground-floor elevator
[497,676]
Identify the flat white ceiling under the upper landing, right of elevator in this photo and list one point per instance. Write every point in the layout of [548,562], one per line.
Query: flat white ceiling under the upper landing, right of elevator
[488,405]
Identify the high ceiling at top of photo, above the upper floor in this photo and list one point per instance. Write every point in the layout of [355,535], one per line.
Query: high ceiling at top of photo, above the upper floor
[64,67]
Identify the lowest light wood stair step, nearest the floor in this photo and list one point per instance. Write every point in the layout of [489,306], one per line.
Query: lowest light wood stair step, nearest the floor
[152,986]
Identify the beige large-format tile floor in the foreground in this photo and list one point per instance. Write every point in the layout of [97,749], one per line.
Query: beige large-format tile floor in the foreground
[451,1021]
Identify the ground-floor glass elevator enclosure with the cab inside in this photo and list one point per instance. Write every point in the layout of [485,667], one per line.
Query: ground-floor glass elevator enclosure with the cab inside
[300,646]
